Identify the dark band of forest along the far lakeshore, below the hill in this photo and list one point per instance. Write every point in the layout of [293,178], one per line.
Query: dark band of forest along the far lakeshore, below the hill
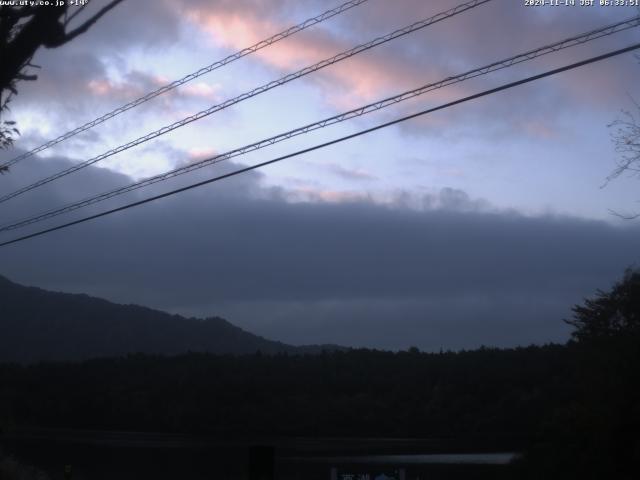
[488,394]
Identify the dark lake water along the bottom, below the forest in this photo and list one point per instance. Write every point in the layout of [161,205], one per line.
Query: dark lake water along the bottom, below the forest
[127,455]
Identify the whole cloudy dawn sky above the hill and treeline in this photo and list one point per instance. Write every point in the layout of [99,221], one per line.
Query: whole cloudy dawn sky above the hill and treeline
[481,224]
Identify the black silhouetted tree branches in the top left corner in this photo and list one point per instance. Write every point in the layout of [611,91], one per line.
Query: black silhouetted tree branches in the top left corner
[23,30]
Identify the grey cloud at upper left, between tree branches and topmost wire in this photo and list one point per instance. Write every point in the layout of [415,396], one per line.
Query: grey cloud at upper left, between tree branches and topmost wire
[67,73]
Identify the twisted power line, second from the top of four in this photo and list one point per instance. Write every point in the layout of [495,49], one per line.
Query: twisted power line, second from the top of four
[257,91]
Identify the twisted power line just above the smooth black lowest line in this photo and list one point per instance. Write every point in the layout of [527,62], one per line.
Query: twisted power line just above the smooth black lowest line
[516,59]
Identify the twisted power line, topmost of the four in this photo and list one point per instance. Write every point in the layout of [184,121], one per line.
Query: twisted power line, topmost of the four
[192,76]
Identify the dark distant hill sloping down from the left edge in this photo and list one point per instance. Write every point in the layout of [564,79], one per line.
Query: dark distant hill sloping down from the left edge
[38,325]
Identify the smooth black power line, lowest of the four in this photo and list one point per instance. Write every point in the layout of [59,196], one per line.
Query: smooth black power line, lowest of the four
[331,142]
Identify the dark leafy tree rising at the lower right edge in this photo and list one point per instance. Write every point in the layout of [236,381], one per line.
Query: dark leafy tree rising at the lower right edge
[594,433]
